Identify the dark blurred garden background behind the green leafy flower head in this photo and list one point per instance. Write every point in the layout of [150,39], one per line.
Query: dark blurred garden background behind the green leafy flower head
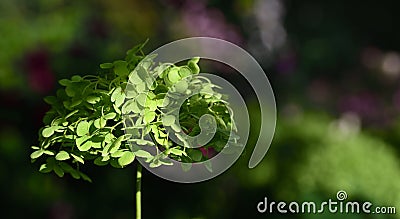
[334,67]
